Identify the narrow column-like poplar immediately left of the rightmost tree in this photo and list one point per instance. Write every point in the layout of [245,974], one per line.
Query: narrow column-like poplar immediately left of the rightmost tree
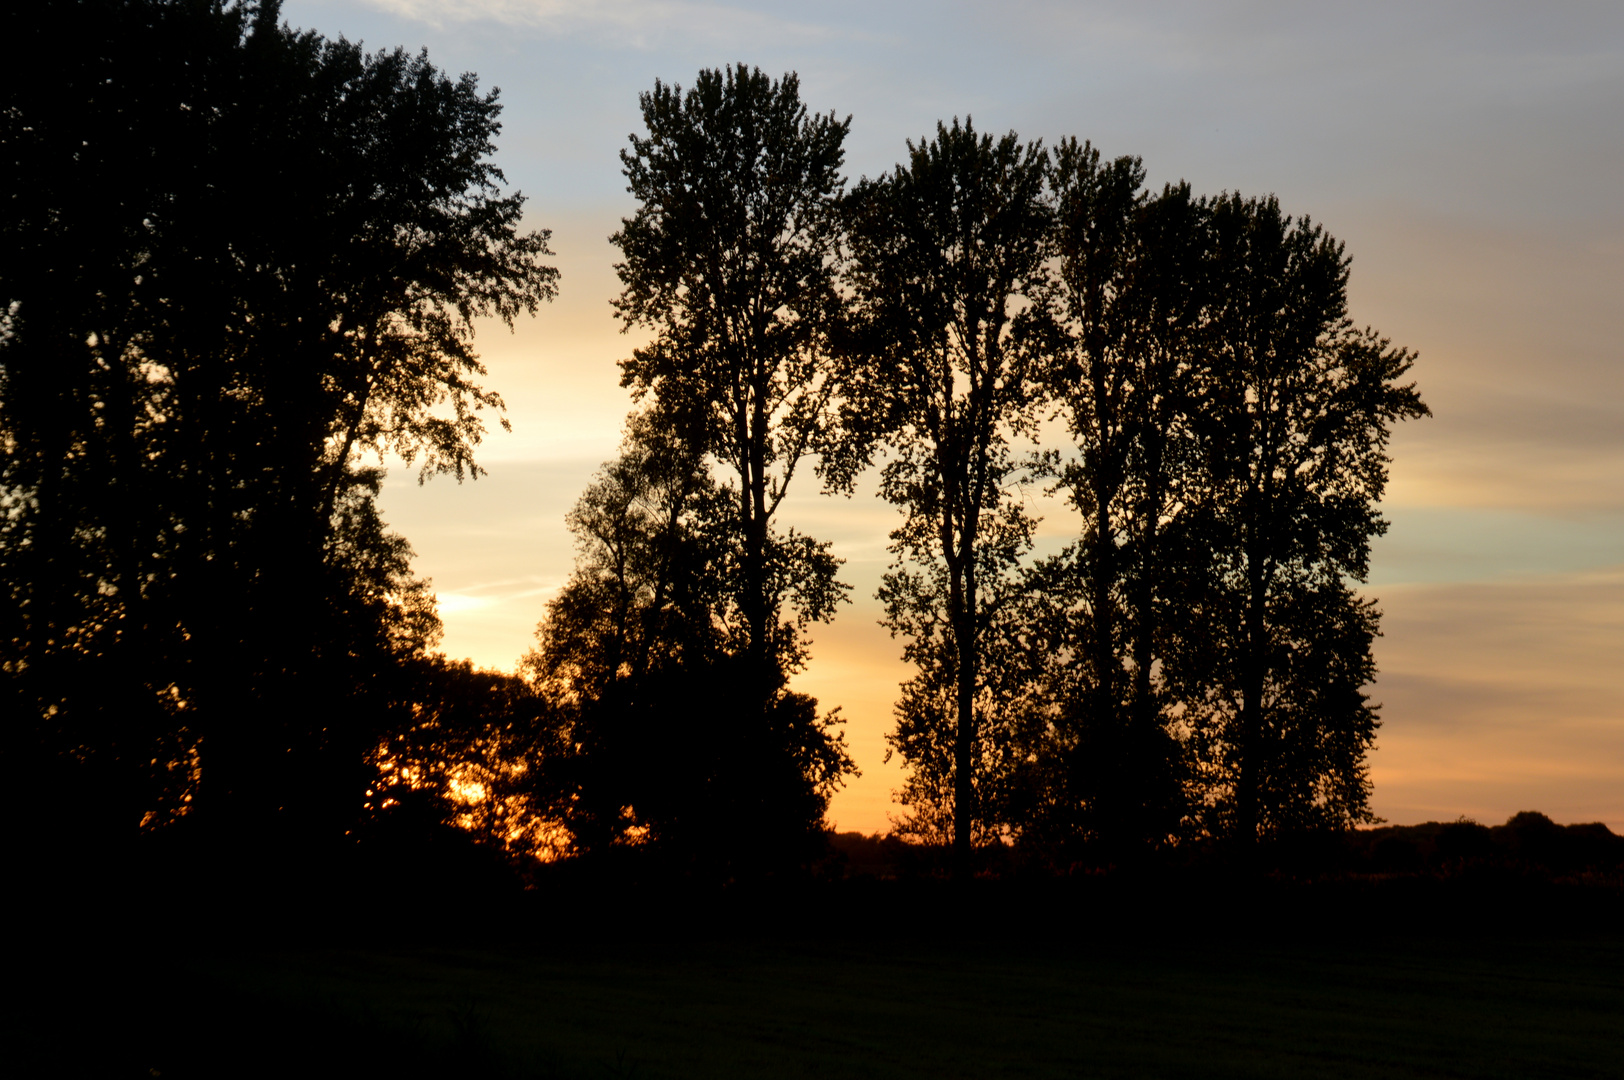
[1131,295]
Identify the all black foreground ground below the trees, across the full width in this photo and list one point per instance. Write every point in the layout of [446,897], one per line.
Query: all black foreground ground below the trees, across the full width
[884,987]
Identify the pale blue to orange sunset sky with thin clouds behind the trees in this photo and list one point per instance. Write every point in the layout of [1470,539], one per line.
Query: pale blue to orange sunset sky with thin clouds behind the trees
[1469,155]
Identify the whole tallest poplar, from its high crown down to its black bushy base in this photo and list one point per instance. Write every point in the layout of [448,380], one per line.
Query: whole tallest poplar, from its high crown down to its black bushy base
[732,261]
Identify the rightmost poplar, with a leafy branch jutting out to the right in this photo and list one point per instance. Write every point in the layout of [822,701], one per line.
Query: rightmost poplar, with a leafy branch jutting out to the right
[1295,420]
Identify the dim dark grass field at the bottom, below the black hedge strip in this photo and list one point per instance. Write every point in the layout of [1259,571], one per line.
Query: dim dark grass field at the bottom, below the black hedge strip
[1419,1008]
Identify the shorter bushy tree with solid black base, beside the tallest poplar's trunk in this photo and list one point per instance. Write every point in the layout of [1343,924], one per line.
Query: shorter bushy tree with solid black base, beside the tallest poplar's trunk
[641,654]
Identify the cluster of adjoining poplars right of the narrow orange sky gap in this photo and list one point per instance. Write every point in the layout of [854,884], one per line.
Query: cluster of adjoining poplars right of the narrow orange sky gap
[1194,663]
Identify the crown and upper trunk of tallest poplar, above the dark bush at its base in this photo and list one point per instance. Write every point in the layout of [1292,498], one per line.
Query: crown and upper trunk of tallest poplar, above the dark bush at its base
[732,261]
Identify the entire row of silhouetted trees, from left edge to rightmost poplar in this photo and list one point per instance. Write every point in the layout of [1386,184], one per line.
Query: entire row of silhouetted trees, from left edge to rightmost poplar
[241,262]
